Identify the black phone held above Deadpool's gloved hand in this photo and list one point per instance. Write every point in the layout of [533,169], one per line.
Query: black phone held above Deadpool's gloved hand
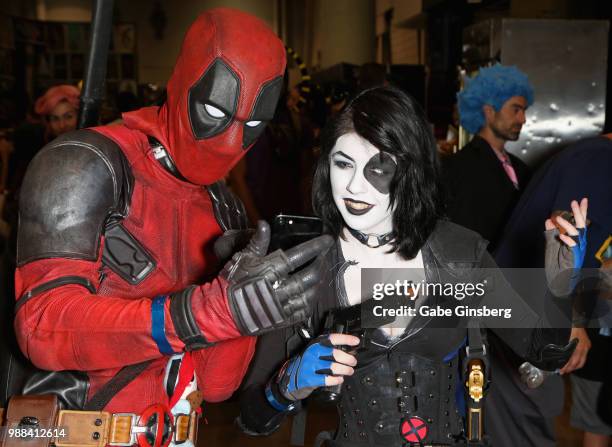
[290,230]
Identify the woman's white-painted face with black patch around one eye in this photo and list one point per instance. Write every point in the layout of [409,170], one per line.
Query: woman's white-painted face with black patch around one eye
[360,176]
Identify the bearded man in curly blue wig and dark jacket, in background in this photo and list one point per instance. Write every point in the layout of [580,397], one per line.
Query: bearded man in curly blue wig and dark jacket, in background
[484,181]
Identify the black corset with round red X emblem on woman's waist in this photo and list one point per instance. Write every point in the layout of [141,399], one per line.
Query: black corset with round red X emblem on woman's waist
[380,396]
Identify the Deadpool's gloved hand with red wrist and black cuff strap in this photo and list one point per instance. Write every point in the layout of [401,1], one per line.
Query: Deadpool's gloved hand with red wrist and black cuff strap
[253,294]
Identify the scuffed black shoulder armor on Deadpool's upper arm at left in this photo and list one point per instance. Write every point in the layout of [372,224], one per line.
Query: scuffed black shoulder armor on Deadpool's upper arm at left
[73,187]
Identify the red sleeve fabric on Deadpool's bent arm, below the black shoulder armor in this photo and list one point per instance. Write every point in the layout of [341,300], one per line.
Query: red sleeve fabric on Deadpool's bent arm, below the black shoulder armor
[68,327]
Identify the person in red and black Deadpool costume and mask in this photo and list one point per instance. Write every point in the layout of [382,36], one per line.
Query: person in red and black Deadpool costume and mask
[118,222]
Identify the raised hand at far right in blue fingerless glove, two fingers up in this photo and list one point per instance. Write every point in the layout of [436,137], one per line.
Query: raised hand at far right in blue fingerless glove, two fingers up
[565,252]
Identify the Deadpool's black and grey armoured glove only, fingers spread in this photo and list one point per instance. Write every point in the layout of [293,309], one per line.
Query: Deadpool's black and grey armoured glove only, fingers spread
[262,292]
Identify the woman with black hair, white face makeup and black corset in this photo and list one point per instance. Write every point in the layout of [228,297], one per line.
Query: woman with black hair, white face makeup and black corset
[376,190]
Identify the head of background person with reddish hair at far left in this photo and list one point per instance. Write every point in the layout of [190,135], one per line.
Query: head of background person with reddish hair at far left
[60,108]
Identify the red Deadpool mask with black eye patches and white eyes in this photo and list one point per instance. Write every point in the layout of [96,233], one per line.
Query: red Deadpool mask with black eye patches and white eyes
[222,93]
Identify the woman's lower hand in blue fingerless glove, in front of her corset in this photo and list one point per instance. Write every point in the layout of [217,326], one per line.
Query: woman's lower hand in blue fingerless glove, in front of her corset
[320,364]
